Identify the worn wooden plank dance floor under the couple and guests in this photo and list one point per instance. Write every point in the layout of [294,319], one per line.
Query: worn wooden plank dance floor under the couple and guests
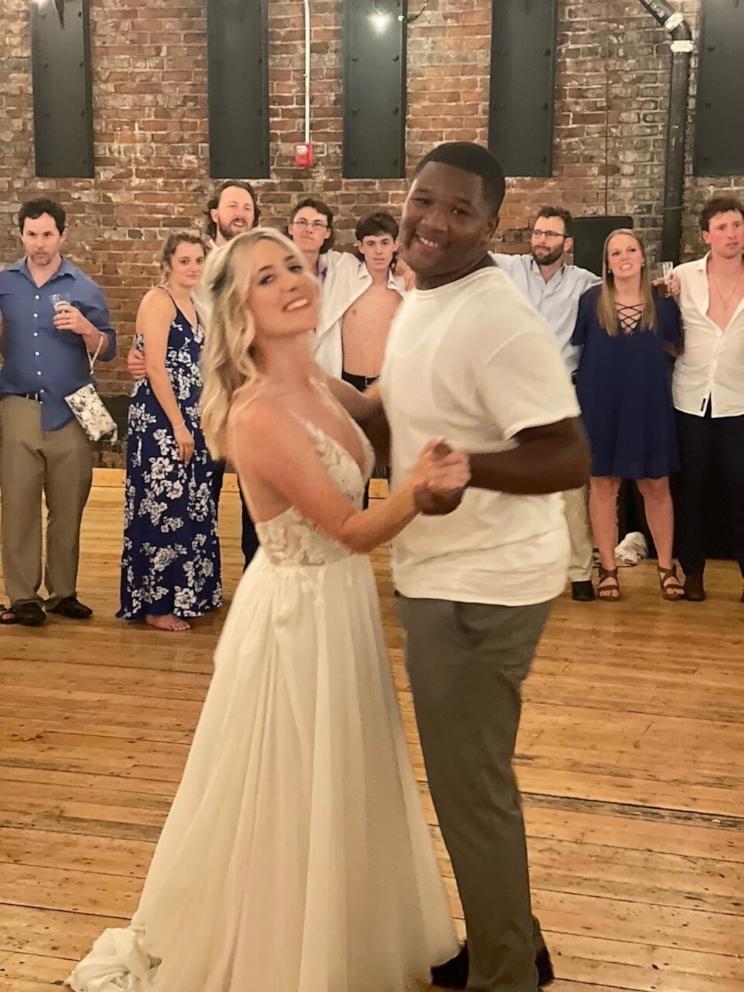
[630,759]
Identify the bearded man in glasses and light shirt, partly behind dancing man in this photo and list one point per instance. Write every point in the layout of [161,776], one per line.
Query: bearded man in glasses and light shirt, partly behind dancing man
[554,288]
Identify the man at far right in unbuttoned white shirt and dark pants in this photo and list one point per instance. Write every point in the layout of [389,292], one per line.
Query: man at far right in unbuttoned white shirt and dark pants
[708,387]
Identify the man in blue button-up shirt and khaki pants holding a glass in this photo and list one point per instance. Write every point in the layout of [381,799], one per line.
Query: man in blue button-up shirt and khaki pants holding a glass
[53,318]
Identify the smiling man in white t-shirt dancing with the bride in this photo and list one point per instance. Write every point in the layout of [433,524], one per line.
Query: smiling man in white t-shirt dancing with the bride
[468,359]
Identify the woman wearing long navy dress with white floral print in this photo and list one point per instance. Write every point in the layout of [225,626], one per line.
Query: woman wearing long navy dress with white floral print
[170,566]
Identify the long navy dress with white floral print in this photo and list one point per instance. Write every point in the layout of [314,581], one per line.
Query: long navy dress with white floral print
[171,556]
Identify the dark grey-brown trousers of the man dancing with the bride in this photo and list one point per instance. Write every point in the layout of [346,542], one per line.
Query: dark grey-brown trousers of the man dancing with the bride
[467,662]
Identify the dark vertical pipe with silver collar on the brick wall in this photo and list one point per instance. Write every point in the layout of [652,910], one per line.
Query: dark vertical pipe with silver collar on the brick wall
[679,84]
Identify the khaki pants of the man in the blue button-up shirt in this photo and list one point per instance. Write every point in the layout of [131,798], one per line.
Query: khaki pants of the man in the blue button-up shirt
[59,464]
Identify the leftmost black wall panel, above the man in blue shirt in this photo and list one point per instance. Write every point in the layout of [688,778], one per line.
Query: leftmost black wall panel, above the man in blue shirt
[61,71]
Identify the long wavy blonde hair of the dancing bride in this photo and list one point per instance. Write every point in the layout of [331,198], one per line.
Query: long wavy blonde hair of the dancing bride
[227,361]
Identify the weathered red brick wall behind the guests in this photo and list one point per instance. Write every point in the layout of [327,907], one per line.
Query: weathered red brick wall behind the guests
[149,101]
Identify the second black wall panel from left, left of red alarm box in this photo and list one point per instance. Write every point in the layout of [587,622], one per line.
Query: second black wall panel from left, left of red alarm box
[238,88]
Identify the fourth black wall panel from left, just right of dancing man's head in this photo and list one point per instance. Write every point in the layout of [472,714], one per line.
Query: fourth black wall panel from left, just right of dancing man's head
[523,43]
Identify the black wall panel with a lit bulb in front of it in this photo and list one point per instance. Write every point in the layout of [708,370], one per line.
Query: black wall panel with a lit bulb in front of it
[374,89]
